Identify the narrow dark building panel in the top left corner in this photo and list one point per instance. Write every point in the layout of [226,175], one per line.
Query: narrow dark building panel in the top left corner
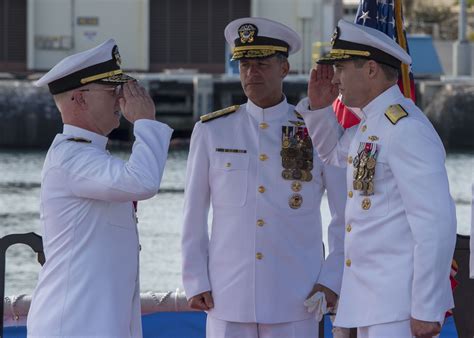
[13,35]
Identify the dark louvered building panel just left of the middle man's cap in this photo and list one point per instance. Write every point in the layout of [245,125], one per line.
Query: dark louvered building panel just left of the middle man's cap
[190,33]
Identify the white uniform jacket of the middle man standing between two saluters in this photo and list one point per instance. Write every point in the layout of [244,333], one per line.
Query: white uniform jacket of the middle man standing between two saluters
[263,257]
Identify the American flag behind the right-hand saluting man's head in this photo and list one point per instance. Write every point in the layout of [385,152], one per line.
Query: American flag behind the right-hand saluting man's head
[385,16]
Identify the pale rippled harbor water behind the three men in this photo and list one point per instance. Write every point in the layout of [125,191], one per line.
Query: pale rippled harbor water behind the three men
[159,218]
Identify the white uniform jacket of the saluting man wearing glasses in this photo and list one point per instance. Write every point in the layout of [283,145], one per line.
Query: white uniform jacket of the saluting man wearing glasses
[89,285]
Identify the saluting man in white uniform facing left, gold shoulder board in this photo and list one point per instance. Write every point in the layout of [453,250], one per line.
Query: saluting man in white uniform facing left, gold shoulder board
[400,217]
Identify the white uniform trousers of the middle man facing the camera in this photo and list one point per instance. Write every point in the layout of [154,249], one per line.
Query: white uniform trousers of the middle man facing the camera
[216,328]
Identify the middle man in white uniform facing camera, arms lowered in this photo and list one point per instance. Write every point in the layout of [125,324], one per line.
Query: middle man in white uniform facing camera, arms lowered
[255,165]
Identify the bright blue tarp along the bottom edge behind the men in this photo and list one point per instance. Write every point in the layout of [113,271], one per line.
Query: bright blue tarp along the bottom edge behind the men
[193,325]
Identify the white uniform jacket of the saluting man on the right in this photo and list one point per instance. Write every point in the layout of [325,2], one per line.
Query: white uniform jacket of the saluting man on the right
[399,241]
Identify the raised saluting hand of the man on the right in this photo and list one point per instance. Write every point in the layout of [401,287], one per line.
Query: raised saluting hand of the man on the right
[321,91]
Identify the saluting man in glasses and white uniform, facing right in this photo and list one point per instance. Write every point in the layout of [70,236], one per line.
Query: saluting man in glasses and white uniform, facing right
[89,285]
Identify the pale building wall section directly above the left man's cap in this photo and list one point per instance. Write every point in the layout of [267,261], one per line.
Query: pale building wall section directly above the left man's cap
[58,28]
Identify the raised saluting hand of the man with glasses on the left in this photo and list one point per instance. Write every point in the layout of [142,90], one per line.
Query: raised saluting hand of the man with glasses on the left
[136,103]
